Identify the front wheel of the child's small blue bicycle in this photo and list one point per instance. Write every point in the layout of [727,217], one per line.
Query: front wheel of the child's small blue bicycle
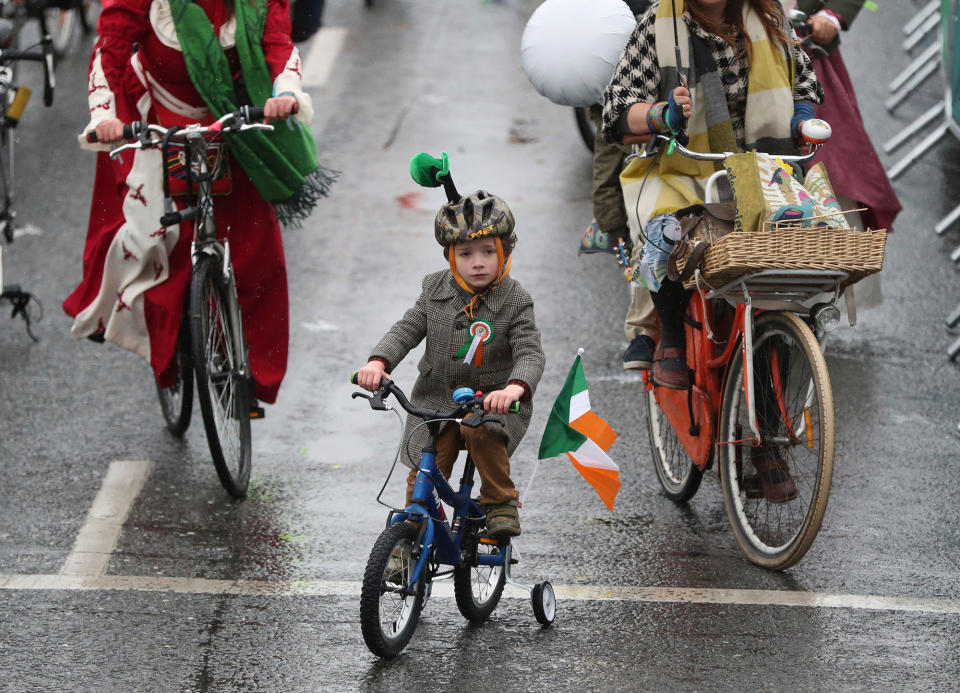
[388,616]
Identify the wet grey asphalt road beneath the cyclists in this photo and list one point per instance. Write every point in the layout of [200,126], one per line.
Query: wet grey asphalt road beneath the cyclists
[418,76]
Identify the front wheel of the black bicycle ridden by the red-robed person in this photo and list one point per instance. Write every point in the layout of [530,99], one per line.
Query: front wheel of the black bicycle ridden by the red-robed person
[222,370]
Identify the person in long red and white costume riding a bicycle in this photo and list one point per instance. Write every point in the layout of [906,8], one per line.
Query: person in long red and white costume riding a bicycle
[136,273]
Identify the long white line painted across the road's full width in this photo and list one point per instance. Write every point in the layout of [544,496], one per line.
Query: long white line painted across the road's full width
[444,590]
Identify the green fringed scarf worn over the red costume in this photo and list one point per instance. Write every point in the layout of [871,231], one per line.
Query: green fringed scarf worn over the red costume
[283,163]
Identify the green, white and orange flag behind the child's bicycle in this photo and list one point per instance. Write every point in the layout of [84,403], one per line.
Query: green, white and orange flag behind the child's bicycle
[575,429]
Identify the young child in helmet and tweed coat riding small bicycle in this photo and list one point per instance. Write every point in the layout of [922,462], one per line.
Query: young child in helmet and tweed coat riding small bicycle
[481,333]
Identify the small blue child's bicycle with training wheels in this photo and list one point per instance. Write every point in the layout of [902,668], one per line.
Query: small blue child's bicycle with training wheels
[420,544]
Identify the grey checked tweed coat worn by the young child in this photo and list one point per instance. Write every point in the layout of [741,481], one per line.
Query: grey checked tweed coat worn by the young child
[513,353]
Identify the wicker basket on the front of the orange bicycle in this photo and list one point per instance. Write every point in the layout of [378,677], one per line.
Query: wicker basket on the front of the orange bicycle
[859,253]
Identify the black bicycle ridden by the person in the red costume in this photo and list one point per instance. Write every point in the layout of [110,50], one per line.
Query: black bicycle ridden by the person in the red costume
[211,342]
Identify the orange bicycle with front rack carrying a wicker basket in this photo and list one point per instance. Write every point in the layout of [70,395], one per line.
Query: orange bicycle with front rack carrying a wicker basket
[760,403]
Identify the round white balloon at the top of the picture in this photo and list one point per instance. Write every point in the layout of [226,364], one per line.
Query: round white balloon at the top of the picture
[570,48]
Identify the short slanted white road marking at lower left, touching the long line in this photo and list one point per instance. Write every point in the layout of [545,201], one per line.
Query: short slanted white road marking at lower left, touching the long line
[98,537]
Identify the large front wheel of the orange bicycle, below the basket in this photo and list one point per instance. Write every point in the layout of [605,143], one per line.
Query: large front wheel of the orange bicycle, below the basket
[776,494]
